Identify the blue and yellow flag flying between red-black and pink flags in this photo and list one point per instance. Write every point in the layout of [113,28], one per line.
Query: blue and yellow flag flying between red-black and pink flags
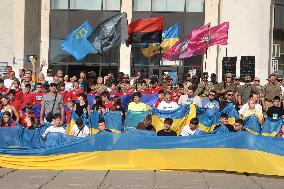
[170,36]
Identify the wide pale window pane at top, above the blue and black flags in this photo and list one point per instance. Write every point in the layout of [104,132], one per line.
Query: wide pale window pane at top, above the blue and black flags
[86,4]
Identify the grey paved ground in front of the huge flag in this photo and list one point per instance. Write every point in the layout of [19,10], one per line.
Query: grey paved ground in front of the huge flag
[42,179]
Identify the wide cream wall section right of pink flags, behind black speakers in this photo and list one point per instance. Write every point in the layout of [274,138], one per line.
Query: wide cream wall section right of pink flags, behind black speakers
[249,34]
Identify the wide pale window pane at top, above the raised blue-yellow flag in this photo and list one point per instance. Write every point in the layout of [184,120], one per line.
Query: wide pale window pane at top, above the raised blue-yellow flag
[168,5]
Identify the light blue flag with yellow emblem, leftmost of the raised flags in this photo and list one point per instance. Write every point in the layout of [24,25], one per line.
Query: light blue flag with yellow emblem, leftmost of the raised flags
[76,42]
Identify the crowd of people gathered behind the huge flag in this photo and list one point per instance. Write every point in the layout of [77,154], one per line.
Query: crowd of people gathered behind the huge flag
[59,95]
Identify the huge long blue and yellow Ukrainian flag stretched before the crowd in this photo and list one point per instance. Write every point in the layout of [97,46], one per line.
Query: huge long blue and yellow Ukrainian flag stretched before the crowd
[240,152]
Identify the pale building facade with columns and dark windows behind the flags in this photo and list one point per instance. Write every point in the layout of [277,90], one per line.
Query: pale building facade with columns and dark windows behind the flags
[38,28]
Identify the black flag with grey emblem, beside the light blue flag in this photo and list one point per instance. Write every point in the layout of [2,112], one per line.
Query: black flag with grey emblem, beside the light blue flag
[109,33]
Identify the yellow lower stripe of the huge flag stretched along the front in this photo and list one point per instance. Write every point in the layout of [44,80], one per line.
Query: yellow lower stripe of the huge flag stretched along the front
[238,160]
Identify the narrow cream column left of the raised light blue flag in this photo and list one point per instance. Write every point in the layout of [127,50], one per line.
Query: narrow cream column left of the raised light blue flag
[44,42]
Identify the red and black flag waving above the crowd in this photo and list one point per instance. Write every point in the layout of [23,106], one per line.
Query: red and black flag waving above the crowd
[147,30]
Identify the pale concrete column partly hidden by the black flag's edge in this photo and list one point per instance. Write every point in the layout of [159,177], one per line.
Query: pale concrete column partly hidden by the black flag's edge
[125,52]
